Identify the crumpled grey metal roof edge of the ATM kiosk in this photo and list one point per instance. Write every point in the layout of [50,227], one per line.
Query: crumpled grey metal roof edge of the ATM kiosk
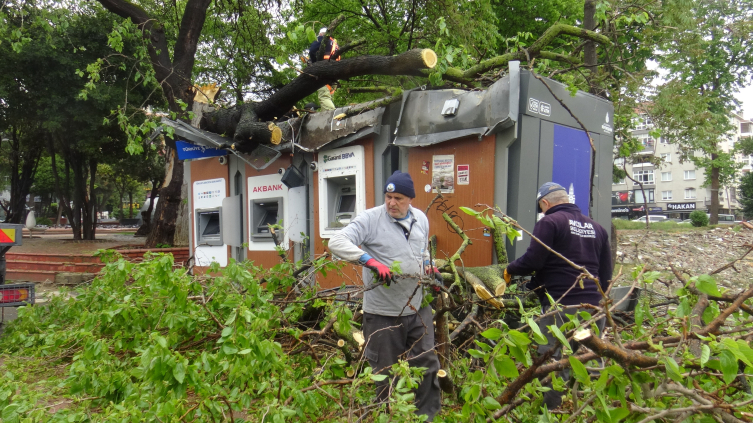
[426,117]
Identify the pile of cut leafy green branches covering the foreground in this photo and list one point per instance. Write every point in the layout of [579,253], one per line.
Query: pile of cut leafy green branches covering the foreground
[149,342]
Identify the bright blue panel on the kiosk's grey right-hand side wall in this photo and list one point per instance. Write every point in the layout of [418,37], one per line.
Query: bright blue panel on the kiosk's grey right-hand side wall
[571,165]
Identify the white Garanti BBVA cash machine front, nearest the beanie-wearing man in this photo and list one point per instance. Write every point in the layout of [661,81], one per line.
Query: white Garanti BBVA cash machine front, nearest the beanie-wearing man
[342,188]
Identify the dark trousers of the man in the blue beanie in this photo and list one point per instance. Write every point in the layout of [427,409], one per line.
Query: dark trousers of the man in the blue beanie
[389,338]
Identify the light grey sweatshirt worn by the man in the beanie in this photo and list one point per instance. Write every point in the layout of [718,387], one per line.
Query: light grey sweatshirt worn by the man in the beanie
[382,237]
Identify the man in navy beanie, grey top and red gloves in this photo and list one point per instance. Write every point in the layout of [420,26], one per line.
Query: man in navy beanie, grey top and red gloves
[394,324]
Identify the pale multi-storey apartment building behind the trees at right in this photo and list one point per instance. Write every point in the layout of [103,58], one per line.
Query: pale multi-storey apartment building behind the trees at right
[672,188]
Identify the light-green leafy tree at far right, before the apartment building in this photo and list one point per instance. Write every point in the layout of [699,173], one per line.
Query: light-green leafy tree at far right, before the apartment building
[708,58]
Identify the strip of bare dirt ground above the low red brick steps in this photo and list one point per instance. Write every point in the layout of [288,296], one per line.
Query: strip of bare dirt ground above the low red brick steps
[64,244]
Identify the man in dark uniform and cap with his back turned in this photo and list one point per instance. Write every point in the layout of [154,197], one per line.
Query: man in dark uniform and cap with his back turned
[581,240]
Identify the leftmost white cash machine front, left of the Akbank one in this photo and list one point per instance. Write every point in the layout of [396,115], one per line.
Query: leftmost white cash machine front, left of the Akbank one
[207,204]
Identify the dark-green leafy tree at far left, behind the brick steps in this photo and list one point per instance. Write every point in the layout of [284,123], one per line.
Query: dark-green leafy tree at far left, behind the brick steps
[71,127]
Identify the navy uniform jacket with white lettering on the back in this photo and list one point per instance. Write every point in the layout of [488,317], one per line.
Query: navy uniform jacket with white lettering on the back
[583,241]
